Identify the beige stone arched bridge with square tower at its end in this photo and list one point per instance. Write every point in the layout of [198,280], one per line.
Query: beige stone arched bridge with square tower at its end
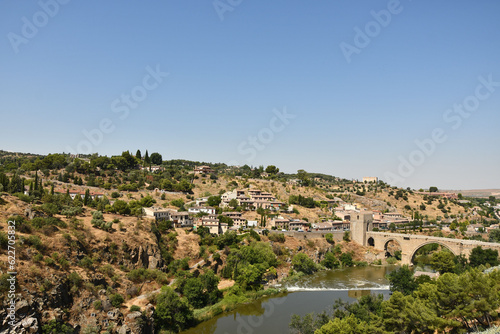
[361,232]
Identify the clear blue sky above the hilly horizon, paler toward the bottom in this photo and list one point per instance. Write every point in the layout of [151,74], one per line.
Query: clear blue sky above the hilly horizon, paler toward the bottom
[231,69]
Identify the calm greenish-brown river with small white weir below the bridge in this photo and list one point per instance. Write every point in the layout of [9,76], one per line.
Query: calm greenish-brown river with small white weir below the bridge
[315,293]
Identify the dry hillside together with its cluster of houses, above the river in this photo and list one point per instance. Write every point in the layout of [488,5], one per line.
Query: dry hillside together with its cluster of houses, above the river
[97,236]
